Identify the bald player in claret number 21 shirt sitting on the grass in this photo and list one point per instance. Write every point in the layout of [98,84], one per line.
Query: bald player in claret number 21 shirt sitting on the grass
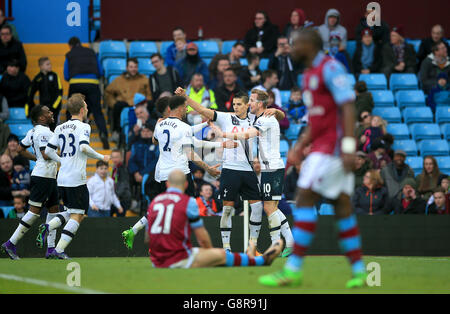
[171,218]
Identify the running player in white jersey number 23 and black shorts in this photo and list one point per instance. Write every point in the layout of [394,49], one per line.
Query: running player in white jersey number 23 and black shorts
[72,138]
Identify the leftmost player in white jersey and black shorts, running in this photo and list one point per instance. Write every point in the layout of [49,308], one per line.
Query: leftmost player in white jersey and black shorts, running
[44,190]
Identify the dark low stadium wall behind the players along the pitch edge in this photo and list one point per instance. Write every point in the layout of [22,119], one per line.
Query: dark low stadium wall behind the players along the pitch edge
[381,235]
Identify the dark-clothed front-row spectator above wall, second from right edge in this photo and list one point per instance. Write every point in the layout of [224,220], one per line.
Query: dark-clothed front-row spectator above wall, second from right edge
[411,202]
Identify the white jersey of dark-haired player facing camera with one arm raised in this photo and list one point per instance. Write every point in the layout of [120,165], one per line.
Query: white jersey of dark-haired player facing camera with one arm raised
[238,158]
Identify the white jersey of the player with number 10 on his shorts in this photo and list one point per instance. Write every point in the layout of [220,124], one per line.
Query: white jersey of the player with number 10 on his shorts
[268,143]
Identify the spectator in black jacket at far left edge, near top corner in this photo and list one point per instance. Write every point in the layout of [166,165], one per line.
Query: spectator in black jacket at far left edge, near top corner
[11,49]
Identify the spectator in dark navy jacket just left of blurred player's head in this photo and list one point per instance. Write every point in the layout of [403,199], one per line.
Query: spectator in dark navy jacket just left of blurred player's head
[282,62]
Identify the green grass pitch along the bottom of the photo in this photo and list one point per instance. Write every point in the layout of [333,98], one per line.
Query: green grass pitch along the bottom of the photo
[322,274]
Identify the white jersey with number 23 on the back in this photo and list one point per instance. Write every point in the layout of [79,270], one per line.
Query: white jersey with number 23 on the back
[68,137]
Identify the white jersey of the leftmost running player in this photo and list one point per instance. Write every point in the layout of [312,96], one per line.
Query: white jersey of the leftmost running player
[38,138]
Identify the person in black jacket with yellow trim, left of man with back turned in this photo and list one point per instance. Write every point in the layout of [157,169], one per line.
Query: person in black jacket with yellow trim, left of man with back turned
[49,86]
